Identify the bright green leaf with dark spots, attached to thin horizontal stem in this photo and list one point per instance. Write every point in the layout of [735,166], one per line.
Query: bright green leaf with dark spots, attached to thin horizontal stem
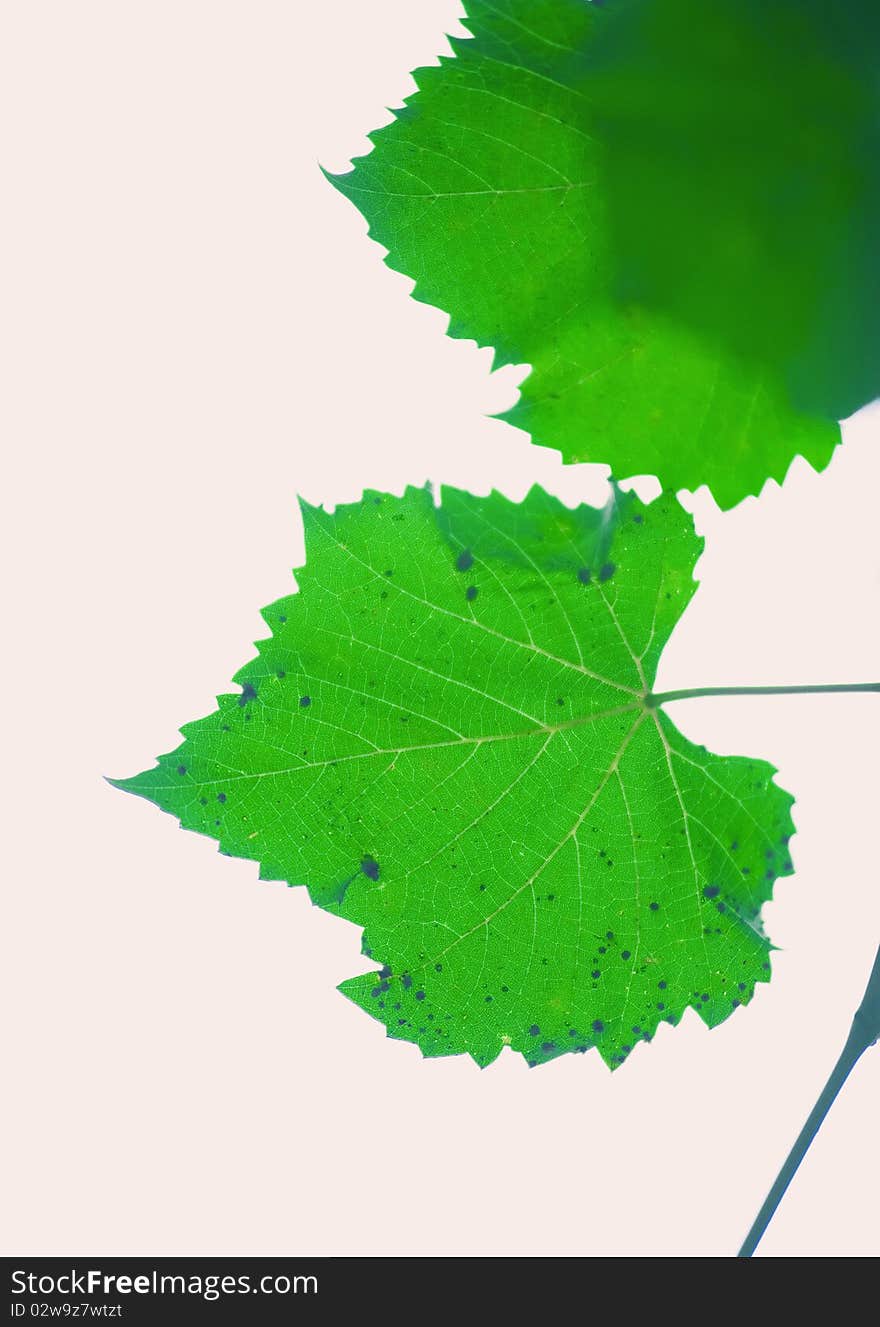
[449,740]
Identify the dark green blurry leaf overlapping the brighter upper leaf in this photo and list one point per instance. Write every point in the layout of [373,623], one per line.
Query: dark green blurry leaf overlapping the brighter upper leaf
[748,132]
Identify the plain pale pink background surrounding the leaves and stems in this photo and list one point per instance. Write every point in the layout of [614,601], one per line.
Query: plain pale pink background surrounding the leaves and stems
[196,330]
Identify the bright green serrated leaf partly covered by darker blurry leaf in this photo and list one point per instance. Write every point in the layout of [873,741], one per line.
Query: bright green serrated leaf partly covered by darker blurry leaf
[488,190]
